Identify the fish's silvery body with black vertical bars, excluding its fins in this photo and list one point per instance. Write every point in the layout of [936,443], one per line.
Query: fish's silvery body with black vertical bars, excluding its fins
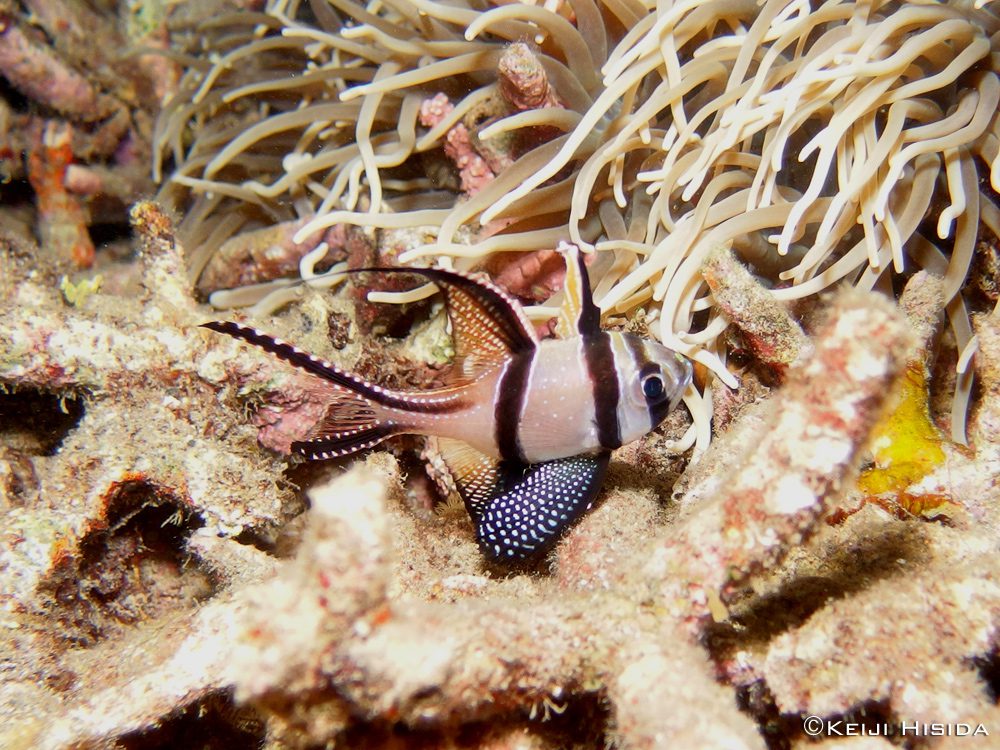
[567,397]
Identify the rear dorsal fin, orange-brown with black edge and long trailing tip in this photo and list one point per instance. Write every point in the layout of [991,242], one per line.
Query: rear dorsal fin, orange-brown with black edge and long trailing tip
[488,325]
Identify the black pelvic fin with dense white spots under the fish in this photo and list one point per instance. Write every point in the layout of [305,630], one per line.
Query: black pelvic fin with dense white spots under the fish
[533,505]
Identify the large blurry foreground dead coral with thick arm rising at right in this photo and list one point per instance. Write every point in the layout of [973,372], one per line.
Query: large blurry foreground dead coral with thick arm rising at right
[385,618]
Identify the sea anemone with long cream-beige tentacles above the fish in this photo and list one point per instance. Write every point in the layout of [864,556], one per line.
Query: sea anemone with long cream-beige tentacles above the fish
[822,142]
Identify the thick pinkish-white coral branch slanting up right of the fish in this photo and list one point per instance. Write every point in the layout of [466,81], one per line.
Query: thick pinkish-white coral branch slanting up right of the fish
[782,486]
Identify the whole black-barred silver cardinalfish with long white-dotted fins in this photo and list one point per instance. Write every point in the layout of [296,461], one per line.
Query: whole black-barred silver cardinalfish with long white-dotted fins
[524,426]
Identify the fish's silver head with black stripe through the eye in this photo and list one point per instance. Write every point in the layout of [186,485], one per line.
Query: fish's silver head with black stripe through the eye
[652,382]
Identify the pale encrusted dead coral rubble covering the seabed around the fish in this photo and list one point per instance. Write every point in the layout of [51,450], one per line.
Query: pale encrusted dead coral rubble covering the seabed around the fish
[384,618]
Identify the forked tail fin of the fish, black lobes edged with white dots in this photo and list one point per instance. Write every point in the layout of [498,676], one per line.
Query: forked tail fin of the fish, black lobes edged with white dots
[355,419]
